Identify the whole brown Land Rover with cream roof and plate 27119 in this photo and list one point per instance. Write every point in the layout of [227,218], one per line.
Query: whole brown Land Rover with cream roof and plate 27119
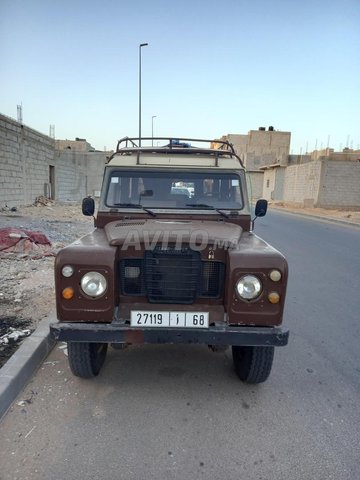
[172,259]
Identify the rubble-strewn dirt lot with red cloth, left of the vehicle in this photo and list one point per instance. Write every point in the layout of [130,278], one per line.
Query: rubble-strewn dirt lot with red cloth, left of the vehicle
[30,237]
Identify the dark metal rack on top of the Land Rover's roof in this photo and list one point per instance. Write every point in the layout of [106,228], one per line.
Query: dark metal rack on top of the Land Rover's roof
[172,145]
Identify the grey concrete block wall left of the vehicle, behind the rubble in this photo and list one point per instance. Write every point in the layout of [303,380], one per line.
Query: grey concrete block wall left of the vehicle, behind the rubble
[25,159]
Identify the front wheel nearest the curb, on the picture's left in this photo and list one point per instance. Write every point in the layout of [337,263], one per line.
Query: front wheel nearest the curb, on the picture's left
[86,359]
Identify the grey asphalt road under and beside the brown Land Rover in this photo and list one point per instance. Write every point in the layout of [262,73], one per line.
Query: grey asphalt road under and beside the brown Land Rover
[179,412]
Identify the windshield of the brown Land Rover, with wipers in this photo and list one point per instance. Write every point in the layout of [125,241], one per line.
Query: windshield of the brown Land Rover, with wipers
[174,189]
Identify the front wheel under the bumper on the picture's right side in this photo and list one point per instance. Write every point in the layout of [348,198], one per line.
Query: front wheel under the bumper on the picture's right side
[253,364]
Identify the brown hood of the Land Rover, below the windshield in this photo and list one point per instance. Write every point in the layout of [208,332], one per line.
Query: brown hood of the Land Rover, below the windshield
[153,232]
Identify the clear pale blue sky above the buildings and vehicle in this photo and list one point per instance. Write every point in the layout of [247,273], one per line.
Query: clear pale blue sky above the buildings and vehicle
[210,68]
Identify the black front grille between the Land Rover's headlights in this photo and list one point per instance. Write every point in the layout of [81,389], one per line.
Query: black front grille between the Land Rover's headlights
[172,276]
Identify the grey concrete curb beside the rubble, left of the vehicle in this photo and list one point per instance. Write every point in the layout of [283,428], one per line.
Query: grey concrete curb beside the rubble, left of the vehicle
[20,367]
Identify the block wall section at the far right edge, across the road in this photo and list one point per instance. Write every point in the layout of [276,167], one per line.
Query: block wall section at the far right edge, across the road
[340,184]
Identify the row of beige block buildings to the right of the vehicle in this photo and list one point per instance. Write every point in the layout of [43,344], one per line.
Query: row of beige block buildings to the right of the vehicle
[322,178]
